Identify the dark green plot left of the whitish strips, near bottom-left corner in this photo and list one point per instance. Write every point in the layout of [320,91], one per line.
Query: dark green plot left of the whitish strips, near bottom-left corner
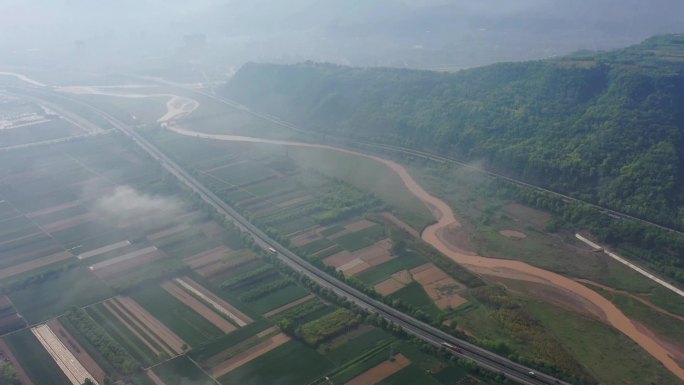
[35,360]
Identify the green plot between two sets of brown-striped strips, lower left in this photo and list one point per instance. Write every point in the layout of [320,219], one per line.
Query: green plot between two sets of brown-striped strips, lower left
[185,322]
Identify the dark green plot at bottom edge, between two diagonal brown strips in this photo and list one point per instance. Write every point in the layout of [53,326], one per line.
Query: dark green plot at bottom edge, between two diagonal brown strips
[290,364]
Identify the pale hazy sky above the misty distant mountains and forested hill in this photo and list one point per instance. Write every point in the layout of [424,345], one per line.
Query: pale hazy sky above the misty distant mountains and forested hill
[364,32]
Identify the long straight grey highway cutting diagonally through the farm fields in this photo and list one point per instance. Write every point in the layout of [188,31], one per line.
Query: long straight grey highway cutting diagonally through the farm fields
[427,333]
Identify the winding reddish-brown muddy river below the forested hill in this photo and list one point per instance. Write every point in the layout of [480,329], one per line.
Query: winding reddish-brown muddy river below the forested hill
[446,221]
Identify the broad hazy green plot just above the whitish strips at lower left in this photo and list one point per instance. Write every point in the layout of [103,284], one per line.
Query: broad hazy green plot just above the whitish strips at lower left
[56,293]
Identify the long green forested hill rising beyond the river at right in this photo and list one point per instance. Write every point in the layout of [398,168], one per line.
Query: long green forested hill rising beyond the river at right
[606,127]
